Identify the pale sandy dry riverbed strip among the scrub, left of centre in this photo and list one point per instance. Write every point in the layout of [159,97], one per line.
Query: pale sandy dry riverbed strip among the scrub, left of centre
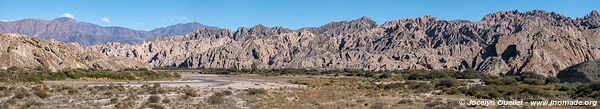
[195,80]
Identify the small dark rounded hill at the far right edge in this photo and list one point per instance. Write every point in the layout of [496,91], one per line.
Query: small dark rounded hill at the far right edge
[583,72]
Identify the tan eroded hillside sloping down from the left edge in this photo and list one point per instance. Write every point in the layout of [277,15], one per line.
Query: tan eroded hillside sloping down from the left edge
[22,51]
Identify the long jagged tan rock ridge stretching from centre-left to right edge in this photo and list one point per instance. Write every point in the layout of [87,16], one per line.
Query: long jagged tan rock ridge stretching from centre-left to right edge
[502,42]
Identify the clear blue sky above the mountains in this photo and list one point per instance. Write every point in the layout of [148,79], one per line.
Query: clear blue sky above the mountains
[294,14]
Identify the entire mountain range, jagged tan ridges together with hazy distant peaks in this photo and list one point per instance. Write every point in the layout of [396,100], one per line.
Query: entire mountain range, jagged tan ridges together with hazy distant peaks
[504,42]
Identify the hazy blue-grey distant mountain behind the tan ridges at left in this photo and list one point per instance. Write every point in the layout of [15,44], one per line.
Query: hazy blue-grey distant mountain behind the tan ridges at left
[69,30]
